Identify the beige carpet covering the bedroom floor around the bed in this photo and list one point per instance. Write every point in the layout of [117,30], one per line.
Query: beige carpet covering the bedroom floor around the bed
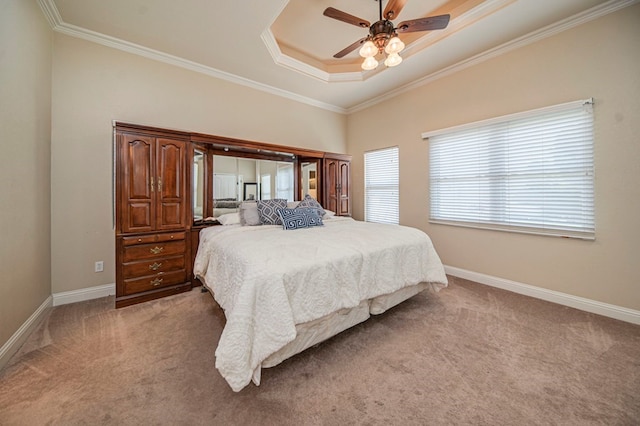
[470,354]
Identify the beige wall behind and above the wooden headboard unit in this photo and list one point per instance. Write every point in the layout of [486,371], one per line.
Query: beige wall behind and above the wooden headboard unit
[93,85]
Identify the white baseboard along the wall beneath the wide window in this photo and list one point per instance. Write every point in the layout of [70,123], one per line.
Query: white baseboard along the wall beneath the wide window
[581,303]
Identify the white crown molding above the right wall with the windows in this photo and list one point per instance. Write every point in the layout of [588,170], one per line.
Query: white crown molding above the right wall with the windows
[548,31]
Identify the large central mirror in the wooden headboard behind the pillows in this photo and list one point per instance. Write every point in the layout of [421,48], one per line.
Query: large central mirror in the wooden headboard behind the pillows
[236,179]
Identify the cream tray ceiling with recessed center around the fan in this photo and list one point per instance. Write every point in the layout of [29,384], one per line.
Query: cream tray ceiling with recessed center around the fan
[285,47]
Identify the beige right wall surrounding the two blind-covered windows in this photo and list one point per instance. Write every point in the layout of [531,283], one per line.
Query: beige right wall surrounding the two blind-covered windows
[600,59]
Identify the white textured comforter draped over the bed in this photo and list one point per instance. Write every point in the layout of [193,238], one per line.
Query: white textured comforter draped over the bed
[268,279]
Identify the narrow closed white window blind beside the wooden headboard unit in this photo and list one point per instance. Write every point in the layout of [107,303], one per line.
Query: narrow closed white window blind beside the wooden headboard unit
[381,186]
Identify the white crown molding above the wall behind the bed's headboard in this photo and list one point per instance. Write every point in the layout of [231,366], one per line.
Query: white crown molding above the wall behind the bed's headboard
[51,13]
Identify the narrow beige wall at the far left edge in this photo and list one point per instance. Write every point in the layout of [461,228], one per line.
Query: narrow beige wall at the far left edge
[25,131]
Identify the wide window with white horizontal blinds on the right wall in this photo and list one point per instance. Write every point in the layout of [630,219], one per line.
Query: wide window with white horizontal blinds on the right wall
[530,172]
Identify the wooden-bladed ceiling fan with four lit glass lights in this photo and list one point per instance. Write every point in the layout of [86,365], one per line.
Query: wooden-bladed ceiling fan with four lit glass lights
[383,35]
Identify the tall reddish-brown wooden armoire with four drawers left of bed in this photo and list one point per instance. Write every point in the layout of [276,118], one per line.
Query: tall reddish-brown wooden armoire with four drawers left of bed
[152,214]
